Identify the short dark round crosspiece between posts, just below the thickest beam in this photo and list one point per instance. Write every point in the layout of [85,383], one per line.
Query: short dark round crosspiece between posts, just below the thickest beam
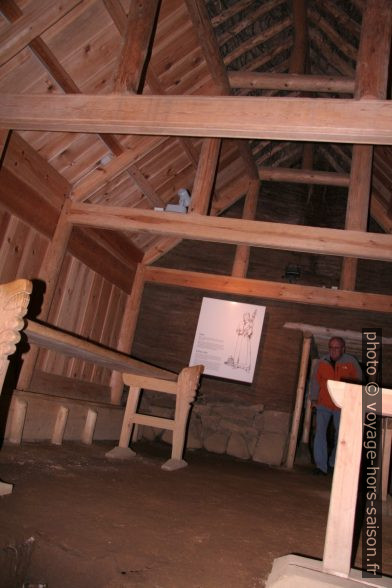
[303,176]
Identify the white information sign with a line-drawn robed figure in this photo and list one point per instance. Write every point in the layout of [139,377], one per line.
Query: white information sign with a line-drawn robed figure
[227,338]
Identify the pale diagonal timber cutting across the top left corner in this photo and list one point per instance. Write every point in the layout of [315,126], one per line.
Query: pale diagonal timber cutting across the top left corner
[39,17]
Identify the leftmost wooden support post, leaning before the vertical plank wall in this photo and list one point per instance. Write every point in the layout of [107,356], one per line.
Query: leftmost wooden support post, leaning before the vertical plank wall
[49,273]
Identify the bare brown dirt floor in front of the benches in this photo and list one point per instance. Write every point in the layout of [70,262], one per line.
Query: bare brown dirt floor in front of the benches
[96,523]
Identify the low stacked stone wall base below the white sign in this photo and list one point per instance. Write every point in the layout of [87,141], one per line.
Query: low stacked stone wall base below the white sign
[244,432]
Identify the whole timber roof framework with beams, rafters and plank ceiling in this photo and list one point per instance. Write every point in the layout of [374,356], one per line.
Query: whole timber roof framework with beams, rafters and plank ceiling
[107,108]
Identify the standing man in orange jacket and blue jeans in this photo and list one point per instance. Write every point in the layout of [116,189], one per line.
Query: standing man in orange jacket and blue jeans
[340,366]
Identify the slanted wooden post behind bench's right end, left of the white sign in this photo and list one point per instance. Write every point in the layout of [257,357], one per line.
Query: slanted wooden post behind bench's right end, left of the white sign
[127,333]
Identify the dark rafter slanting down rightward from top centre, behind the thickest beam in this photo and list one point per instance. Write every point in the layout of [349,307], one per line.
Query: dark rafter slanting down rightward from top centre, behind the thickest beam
[200,19]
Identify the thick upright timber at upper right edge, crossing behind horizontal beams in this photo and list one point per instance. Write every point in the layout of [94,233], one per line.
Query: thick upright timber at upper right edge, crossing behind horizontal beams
[371,83]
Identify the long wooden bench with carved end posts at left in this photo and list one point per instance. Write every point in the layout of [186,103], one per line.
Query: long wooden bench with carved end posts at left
[14,299]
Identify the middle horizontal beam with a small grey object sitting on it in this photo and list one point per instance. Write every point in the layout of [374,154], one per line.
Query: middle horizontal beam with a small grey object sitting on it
[270,235]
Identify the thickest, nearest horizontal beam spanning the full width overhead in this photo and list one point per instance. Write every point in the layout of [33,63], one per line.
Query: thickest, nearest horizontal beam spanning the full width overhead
[247,117]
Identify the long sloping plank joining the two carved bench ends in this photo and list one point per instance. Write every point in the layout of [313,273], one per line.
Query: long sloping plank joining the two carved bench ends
[51,338]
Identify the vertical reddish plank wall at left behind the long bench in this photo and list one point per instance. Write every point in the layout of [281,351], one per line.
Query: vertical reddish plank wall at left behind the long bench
[84,303]
